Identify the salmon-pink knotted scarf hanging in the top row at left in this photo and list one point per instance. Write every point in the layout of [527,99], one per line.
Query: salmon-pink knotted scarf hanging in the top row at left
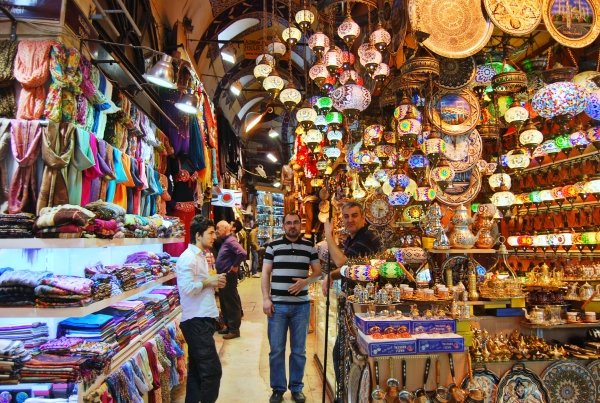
[31,70]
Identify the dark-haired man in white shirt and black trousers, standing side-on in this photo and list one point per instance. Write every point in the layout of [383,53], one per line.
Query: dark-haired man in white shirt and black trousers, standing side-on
[197,295]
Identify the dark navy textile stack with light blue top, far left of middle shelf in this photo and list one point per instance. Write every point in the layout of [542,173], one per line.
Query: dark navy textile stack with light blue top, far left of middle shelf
[17,287]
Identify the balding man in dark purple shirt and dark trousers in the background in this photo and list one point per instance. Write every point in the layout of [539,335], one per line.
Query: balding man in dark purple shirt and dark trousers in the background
[231,255]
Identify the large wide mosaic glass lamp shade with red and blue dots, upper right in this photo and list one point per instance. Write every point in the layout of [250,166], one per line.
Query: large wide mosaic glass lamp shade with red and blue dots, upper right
[561,98]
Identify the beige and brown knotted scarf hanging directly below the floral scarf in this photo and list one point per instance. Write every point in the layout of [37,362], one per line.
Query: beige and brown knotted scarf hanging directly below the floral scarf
[57,150]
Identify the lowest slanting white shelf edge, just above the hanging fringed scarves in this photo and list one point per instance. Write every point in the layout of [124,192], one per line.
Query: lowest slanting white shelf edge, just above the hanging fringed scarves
[128,351]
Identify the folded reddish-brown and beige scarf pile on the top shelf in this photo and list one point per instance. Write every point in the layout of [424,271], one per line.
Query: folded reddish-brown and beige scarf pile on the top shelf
[66,221]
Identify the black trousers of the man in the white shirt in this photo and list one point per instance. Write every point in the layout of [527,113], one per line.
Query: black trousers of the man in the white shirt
[204,366]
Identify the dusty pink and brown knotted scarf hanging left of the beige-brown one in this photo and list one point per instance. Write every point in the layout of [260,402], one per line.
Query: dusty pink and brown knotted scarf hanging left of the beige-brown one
[25,141]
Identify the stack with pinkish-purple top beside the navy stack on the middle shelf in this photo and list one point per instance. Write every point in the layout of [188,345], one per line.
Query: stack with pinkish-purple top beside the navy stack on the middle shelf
[62,291]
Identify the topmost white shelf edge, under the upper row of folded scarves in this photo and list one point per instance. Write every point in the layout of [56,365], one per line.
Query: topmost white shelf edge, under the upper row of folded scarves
[41,243]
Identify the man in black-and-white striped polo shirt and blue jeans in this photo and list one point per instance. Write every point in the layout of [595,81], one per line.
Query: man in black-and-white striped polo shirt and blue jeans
[284,283]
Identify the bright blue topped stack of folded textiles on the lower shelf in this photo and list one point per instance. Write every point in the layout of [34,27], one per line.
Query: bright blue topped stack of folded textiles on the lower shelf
[93,327]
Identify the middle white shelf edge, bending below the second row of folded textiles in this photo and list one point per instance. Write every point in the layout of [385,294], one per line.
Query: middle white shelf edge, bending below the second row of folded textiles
[29,312]
